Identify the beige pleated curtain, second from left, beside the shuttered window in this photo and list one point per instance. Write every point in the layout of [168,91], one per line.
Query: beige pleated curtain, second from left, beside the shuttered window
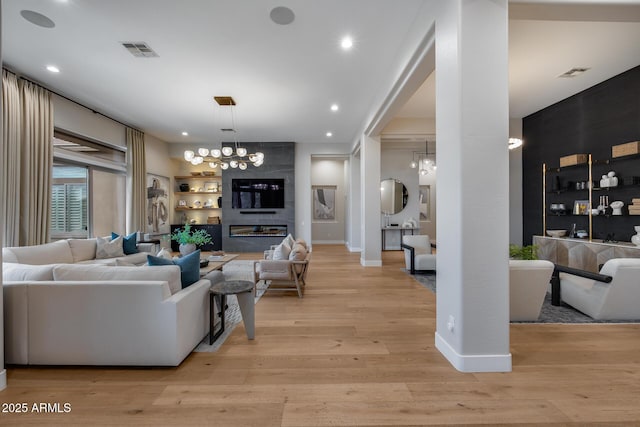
[36,162]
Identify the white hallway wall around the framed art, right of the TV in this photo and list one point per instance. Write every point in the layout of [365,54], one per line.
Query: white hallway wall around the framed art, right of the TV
[329,172]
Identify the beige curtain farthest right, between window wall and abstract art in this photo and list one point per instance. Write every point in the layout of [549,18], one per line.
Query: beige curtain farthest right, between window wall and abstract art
[136,181]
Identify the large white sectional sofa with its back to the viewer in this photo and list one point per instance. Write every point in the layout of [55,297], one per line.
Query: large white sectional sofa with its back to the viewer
[61,312]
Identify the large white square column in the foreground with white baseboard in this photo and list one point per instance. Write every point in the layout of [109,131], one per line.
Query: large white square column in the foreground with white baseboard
[473,178]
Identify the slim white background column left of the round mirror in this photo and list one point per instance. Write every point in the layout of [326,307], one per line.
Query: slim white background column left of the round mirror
[370,256]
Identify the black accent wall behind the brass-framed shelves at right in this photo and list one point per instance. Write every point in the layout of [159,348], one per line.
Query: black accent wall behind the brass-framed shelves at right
[589,122]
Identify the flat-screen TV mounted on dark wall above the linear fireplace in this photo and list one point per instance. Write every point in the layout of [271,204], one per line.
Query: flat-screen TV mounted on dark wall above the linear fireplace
[257,193]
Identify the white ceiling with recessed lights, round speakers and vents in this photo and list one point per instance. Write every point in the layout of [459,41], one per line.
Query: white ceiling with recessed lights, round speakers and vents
[285,77]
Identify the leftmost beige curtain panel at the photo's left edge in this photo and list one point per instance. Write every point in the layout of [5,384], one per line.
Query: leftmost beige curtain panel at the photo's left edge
[10,159]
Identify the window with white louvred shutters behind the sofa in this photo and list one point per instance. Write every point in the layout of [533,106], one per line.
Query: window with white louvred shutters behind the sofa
[69,205]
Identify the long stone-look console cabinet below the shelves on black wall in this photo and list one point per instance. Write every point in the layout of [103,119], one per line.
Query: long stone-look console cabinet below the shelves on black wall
[582,254]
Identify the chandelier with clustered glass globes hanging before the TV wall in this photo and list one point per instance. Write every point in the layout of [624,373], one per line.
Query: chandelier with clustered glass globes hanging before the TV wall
[226,157]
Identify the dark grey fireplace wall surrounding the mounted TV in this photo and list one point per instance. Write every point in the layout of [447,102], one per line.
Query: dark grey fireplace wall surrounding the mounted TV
[279,163]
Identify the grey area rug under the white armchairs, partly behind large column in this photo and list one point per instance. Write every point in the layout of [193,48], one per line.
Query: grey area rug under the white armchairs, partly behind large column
[548,314]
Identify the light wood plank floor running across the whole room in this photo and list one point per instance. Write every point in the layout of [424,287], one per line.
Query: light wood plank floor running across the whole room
[357,350]
